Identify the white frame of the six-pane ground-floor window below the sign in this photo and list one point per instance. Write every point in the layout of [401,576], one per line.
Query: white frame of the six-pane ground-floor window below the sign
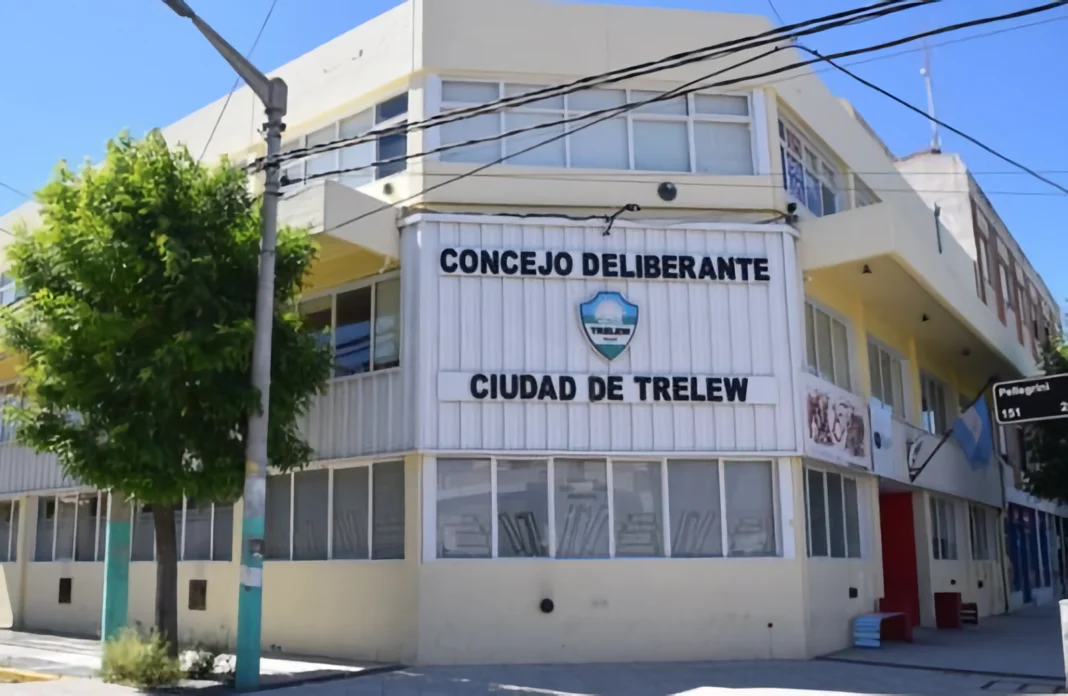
[431,542]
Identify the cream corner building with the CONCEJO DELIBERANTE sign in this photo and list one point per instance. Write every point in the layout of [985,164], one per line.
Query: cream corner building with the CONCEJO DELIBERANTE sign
[711,492]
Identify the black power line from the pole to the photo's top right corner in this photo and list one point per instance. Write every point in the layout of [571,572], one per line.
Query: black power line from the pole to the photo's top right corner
[687,89]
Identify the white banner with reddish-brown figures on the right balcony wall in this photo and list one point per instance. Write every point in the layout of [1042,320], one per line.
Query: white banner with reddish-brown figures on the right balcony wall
[837,424]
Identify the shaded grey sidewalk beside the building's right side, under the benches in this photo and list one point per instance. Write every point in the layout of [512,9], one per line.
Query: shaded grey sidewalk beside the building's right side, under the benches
[1025,644]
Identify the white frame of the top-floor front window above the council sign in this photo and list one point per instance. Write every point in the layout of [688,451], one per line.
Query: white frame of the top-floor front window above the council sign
[631,116]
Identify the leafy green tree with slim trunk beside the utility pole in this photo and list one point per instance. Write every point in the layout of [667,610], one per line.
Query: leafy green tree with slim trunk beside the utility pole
[136,335]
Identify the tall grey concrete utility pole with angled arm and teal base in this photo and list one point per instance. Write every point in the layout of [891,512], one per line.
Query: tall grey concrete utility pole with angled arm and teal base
[273,92]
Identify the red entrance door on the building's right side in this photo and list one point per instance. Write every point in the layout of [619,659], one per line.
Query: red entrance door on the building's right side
[901,583]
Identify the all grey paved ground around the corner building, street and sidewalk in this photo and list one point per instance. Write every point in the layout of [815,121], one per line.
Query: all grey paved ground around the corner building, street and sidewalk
[1016,654]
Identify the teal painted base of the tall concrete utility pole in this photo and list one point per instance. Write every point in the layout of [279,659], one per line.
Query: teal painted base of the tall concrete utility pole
[249,606]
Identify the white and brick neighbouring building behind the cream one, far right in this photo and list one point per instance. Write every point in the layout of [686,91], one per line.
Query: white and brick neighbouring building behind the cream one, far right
[1015,293]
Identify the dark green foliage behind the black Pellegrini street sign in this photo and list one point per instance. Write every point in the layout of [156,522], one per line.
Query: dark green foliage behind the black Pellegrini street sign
[1048,440]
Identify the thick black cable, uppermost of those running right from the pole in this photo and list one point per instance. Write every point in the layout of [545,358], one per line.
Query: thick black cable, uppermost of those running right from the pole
[679,60]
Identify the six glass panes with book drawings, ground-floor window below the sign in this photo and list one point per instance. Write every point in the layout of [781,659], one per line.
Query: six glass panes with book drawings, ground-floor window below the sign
[598,509]
